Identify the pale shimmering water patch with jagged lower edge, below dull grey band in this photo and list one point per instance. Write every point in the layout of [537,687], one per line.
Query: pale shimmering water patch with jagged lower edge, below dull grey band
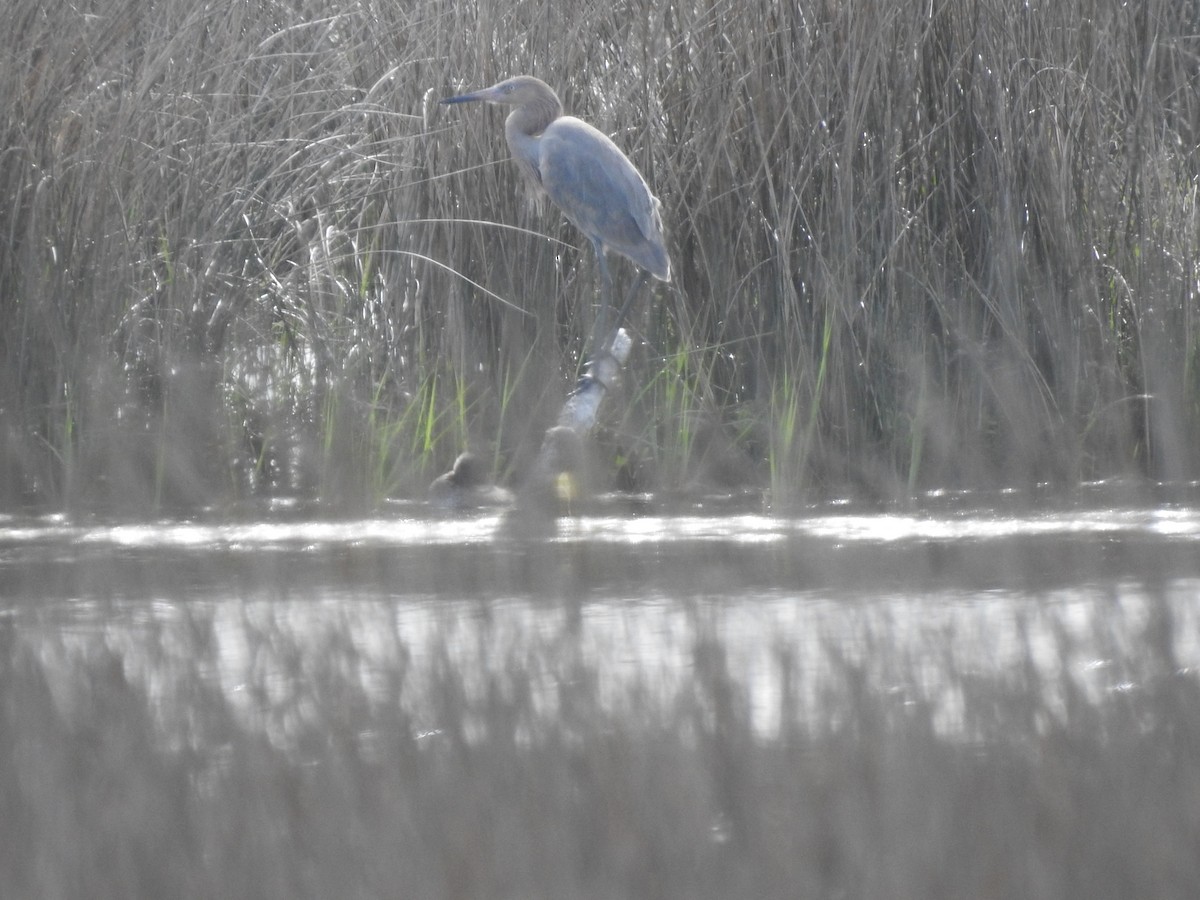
[265,651]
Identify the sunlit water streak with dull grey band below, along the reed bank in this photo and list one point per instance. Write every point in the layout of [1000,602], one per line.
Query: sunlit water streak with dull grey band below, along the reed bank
[412,555]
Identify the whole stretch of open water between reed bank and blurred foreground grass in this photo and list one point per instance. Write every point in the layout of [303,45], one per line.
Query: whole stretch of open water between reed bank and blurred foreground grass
[632,599]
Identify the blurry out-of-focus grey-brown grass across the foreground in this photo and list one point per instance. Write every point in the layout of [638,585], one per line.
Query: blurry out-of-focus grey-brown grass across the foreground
[289,749]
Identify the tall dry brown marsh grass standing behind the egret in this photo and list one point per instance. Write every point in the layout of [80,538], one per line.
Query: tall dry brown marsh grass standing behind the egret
[920,245]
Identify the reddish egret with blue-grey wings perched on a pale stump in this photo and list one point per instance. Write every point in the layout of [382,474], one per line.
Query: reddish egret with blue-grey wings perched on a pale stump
[590,179]
